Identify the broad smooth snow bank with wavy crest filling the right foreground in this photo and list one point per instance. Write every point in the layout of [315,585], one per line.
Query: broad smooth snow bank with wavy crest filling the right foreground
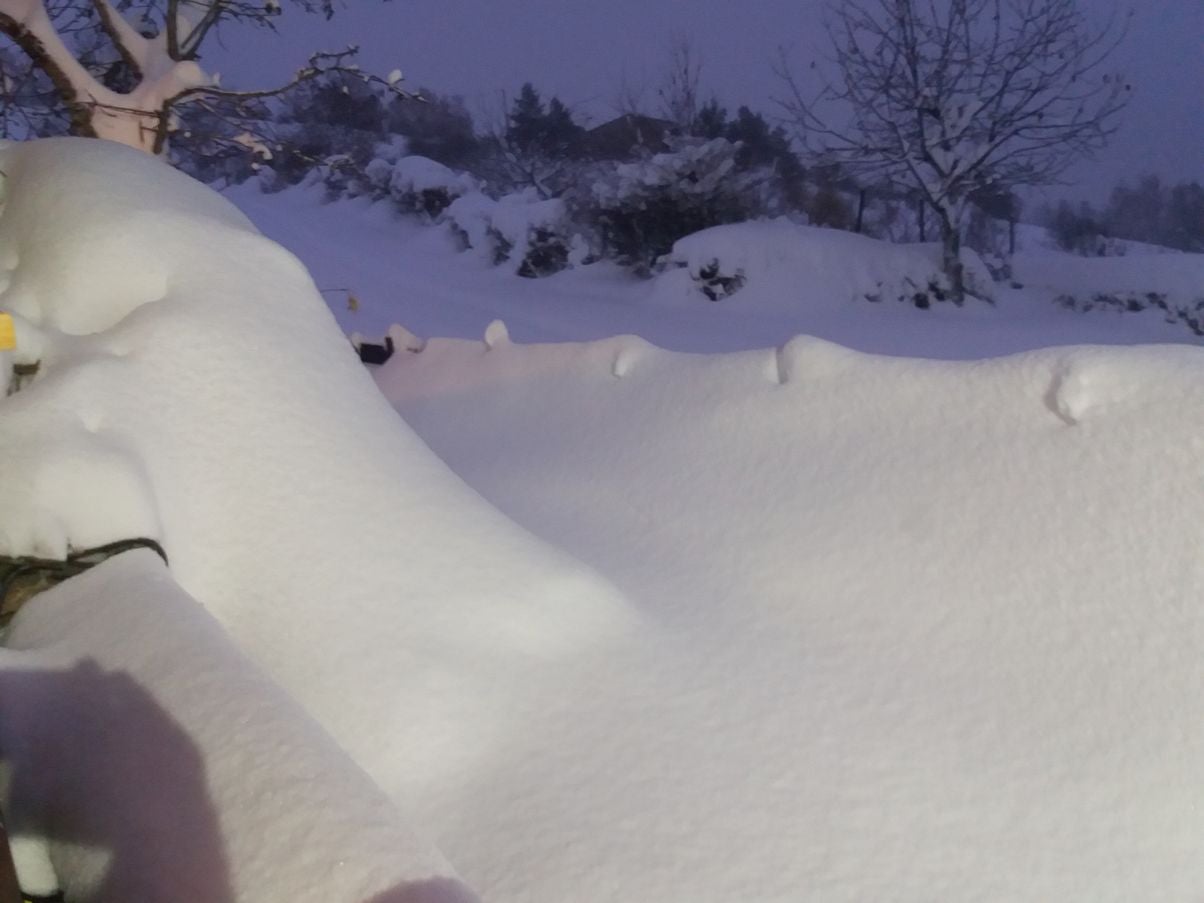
[923,630]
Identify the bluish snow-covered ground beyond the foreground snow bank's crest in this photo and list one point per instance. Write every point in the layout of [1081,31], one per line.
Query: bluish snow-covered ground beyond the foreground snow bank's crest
[415,275]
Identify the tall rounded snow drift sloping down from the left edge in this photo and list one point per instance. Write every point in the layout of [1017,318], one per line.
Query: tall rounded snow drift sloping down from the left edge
[196,388]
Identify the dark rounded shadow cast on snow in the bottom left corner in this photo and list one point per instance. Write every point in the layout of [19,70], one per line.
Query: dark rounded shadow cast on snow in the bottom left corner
[80,748]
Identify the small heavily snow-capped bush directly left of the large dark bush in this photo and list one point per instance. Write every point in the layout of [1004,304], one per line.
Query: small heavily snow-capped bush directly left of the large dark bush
[535,237]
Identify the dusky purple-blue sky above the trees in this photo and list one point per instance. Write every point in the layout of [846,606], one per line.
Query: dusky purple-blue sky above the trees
[586,51]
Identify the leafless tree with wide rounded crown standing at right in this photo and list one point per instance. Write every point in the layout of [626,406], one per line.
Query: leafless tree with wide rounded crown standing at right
[953,97]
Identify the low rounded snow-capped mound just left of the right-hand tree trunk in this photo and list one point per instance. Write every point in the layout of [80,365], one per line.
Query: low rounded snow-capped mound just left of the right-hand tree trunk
[777,262]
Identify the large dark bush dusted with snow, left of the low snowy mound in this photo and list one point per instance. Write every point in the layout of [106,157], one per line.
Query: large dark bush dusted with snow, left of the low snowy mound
[639,210]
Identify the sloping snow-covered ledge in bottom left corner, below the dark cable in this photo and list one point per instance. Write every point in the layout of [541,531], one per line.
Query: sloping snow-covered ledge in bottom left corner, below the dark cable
[163,766]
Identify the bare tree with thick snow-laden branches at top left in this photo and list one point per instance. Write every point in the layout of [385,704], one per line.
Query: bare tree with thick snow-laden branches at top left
[158,51]
